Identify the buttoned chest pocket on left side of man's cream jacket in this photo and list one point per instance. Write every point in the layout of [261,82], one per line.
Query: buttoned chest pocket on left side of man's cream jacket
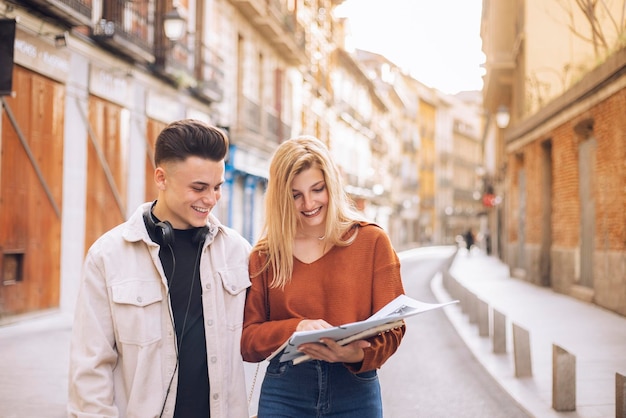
[137,311]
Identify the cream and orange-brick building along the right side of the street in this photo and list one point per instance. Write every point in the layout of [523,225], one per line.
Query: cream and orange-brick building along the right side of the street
[559,170]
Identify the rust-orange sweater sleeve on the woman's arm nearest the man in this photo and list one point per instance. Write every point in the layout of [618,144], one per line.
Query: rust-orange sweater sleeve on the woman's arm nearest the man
[262,336]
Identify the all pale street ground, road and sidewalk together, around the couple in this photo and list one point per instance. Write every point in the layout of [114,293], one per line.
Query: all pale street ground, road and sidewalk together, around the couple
[431,375]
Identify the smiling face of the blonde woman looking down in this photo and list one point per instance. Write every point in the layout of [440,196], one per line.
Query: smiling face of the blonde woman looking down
[310,196]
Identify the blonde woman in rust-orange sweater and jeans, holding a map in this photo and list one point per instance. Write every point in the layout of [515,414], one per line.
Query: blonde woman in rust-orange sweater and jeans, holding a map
[318,264]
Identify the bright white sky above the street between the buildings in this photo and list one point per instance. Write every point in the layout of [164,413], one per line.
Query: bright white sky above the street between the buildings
[436,41]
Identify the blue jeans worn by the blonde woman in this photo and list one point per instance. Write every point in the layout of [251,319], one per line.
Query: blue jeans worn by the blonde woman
[318,389]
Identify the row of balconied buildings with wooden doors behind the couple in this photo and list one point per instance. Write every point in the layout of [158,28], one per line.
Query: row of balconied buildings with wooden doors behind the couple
[93,83]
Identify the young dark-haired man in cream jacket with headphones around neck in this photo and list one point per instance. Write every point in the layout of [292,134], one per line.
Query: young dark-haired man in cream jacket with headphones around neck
[160,309]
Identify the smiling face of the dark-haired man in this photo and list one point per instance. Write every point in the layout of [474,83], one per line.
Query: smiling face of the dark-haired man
[188,191]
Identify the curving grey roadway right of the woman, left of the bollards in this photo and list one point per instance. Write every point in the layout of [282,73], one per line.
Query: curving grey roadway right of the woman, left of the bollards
[433,374]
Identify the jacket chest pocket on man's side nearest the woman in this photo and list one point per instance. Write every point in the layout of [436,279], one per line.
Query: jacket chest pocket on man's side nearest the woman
[235,281]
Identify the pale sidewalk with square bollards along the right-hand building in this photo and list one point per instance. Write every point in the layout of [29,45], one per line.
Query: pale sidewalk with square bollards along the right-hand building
[595,336]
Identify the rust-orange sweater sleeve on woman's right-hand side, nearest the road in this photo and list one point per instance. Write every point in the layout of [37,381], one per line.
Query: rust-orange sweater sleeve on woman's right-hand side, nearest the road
[386,286]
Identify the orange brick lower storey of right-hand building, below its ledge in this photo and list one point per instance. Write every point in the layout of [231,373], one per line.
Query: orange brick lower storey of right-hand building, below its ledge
[566,179]
